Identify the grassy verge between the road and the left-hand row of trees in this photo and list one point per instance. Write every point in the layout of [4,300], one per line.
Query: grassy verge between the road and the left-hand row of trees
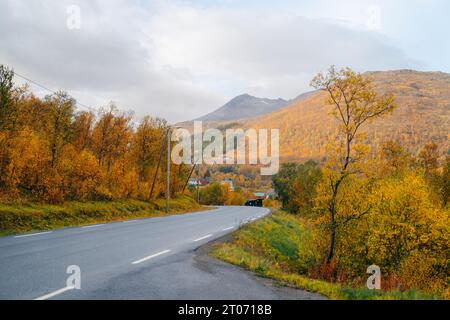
[21,218]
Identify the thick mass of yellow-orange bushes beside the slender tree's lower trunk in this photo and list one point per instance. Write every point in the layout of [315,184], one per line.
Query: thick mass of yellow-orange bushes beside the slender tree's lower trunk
[404,233]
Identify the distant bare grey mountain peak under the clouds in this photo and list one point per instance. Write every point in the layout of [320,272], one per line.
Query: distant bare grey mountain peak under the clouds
[244,106]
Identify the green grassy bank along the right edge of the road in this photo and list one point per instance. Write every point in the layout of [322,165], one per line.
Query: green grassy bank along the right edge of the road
[277,247]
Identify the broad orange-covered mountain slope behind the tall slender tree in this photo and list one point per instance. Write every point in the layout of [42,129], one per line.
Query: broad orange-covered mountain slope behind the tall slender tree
[422,115]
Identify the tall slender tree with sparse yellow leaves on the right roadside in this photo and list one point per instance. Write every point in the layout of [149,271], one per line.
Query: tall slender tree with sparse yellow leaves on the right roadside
[355,103]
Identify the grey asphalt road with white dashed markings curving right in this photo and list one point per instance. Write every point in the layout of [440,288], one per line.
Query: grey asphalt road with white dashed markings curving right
[153,258]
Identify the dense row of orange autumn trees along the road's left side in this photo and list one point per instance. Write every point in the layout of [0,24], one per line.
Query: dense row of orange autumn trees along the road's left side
[52,152]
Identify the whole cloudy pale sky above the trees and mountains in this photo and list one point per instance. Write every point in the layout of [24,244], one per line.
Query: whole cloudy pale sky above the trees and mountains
[182,59]
